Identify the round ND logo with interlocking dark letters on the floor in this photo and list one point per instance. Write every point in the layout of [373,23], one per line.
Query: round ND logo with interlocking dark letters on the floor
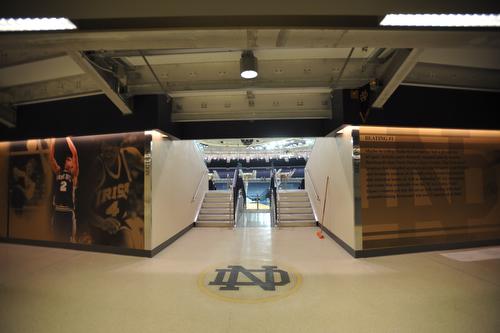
[249,282]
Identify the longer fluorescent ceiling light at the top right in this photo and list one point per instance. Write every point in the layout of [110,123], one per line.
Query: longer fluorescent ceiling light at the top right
[442,20]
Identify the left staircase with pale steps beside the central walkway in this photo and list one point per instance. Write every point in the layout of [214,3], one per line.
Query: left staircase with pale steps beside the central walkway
[216,210]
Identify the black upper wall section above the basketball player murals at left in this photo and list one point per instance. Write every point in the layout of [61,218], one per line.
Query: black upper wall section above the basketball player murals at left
[87,115]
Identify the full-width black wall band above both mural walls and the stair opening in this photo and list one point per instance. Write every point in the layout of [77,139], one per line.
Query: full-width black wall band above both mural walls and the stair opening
[409,107]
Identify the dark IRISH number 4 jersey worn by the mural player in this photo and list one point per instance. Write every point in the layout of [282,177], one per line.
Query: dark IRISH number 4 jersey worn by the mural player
[112,194]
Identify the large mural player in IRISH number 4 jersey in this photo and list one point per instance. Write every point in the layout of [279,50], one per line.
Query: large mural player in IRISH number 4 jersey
[116,217]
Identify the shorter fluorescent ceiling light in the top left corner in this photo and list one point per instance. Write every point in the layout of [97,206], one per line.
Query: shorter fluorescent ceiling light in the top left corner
[36,24]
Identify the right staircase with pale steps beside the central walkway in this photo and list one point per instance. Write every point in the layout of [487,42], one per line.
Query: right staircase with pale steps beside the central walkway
[294,209]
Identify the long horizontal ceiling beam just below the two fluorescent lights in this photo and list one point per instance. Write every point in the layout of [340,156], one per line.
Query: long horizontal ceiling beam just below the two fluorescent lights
[237,39]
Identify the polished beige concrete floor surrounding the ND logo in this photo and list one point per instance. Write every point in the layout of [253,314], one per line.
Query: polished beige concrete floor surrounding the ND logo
[55,290]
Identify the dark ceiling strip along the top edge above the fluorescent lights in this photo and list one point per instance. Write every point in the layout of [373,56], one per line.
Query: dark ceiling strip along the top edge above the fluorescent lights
[109,9]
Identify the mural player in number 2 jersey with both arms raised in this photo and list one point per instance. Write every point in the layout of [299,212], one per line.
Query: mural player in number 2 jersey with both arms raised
[66,181]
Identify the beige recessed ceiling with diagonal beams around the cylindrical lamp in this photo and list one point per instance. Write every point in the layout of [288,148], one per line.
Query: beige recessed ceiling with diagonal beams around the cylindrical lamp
[198,68]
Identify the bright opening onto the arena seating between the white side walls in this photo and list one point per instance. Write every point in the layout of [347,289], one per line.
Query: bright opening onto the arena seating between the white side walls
[254,173]
